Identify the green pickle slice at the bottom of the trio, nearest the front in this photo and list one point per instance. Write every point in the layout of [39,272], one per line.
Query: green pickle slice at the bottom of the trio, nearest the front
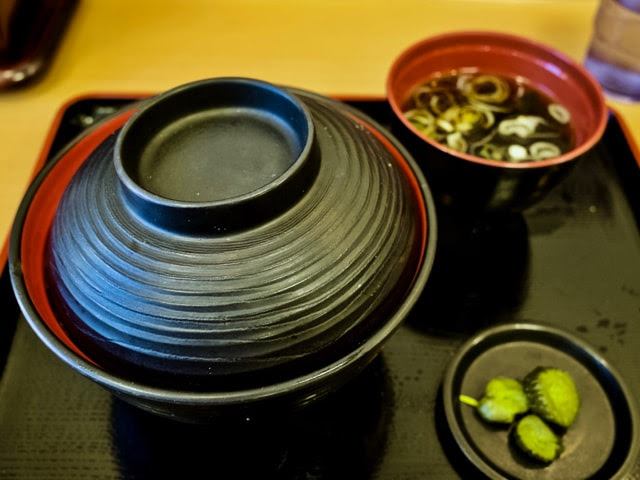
[535,438]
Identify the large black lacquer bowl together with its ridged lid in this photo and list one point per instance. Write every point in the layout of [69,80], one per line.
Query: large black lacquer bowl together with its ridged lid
[226,244]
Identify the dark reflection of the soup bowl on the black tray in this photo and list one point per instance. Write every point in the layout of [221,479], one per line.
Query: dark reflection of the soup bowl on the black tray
[479,276]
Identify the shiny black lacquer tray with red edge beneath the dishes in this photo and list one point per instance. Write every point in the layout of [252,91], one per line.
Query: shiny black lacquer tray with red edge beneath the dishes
[572,261]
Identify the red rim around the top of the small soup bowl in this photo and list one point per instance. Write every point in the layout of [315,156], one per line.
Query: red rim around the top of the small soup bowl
[544,56]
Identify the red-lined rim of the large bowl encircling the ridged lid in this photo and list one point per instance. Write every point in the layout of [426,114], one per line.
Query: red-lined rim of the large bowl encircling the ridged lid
[27,257]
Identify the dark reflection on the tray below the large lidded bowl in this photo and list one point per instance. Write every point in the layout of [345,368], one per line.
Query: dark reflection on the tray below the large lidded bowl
[343,437]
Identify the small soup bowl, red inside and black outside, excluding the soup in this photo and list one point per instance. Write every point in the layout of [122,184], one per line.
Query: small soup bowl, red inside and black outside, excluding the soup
[472,183]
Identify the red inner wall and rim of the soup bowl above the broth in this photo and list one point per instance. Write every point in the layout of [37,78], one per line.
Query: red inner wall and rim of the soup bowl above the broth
[541,67]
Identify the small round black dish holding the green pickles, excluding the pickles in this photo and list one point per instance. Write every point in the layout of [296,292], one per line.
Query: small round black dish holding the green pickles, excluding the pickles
[602,442]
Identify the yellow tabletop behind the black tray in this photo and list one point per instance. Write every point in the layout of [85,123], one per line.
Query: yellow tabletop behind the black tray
[333,47]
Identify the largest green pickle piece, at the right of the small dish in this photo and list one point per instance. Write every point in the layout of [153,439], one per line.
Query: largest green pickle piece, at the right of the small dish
[552,395]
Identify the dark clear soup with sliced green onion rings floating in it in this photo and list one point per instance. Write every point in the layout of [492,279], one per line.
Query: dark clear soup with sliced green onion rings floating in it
[490,116]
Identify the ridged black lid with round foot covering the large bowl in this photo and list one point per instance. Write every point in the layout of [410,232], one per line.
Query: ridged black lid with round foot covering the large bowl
[275,278]
